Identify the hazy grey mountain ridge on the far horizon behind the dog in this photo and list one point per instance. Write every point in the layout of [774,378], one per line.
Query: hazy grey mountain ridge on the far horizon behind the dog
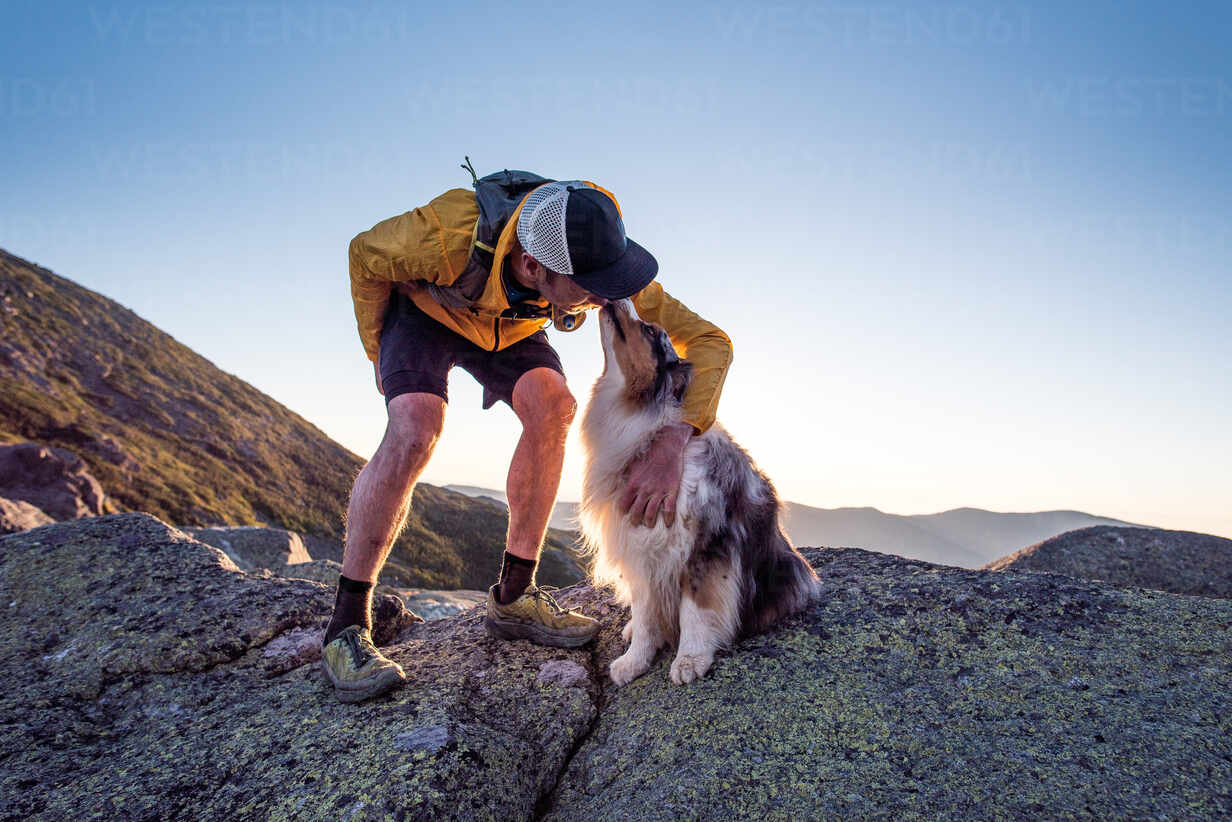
[968,538]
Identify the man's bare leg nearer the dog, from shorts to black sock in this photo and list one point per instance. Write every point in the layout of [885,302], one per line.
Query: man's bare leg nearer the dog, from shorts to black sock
[546,409]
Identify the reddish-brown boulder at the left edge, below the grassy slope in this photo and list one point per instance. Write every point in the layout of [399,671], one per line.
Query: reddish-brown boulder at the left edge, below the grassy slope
[50,479]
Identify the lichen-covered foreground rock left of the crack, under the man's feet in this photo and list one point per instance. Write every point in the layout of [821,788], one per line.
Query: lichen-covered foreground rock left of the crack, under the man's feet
[153,691]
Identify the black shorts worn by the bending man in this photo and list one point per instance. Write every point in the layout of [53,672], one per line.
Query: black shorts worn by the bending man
[417,354]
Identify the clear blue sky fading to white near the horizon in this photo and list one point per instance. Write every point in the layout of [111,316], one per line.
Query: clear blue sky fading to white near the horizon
[969,254]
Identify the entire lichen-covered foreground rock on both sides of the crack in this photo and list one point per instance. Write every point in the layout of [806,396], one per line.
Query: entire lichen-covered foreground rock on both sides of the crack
[167,685]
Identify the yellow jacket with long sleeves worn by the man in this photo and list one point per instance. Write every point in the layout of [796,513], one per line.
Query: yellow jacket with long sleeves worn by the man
[424,252]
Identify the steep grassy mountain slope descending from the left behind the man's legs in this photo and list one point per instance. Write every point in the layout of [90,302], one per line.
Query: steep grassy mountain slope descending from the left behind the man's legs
[168,433]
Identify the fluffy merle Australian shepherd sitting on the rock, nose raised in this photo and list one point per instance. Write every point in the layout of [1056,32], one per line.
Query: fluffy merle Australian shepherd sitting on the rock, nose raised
[724,569]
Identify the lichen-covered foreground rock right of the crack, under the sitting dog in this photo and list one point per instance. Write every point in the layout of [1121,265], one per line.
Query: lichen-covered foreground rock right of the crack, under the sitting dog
[922,692]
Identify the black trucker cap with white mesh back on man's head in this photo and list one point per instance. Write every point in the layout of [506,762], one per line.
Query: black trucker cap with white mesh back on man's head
[575,229]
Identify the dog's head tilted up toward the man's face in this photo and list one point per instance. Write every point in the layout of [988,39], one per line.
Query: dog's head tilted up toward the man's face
[642,357]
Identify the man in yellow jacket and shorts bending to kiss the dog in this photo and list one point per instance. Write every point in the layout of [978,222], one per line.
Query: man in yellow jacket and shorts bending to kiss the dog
[471,279]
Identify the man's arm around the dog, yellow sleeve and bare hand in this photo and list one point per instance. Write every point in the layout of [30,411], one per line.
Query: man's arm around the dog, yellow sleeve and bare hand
[655,478]
